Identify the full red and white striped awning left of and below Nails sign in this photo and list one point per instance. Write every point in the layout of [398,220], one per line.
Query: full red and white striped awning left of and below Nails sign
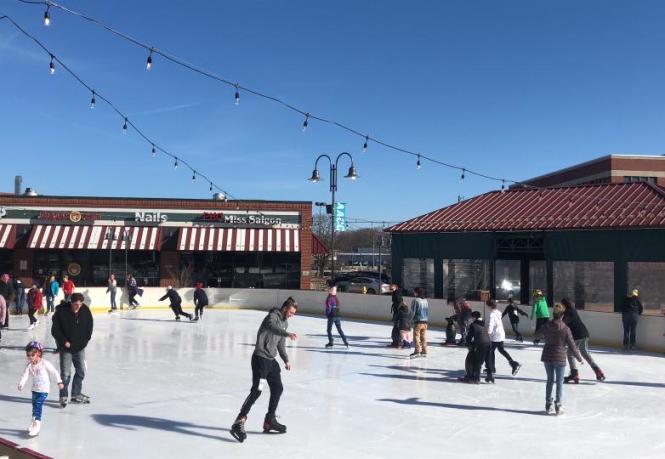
[85,237]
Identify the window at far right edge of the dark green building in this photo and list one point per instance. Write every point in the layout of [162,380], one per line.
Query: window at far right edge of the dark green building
[649,279]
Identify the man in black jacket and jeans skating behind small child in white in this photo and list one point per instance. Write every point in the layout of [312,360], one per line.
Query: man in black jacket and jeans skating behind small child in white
[72,329]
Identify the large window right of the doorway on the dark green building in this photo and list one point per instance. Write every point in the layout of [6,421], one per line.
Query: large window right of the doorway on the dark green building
[590,285]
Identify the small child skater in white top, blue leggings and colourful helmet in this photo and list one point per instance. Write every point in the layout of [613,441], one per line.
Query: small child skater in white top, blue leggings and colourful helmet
[39,369]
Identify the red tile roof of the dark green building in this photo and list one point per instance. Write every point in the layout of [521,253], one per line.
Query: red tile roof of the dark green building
[607,206]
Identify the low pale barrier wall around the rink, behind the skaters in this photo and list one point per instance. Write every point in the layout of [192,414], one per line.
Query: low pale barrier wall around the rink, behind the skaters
[606,329]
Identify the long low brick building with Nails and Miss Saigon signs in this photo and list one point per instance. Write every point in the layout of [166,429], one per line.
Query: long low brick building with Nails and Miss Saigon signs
[245,244]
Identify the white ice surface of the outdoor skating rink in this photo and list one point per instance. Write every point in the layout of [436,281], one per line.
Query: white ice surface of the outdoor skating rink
[162,389]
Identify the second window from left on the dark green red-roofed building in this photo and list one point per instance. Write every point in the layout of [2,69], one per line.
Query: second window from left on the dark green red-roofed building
[465,278]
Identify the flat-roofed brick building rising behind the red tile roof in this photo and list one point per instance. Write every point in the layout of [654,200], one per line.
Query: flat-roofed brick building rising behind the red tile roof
[608,169]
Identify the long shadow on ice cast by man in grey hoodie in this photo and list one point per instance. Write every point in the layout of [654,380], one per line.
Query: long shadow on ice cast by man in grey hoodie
[129,422]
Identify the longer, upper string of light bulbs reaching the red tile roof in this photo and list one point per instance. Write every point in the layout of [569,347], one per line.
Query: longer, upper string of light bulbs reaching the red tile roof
[307,115]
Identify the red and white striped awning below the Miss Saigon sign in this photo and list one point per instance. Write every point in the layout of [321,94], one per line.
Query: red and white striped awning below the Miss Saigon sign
[239,239]
